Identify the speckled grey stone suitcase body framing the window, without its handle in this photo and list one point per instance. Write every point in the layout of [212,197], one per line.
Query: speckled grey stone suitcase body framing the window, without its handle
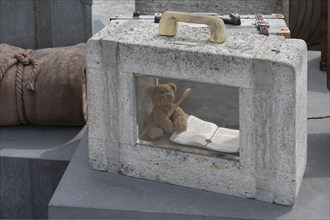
[270,73]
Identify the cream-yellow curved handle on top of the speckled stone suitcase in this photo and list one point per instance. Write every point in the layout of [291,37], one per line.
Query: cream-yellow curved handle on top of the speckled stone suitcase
[168,24]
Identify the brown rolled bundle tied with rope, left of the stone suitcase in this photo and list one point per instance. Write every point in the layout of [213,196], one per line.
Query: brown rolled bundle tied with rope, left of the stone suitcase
[44,87]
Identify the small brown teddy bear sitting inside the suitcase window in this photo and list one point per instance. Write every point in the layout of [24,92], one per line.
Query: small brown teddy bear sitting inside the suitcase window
[162,97]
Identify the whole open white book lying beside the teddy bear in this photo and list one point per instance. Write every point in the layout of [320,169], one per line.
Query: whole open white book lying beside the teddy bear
[208,135]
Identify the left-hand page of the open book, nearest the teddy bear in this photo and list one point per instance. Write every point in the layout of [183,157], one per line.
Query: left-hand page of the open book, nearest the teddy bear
[196,134]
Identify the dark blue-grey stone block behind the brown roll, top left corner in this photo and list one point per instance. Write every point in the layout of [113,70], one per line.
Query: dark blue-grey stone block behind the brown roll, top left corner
[33,24]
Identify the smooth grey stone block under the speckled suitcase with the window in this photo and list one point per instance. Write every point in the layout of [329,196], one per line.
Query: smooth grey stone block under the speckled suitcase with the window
[85,193]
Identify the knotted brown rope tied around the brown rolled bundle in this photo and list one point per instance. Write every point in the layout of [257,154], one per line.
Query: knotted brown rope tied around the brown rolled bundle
[22,59]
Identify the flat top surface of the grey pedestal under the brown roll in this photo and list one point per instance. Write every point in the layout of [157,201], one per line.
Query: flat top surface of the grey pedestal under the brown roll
[39,142]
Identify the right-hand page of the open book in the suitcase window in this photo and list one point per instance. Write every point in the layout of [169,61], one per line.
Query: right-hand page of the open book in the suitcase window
[225,140]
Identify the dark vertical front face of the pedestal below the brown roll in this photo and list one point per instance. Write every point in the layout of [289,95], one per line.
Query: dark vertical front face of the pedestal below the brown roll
[27,186]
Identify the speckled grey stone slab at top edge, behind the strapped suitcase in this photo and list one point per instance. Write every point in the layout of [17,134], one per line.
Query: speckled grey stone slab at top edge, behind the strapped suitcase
[221,7]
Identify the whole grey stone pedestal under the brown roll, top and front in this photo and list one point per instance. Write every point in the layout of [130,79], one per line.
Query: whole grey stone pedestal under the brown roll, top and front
[32,162]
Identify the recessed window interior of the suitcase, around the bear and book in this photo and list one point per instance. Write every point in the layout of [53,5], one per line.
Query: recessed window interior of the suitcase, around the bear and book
[212,103]
